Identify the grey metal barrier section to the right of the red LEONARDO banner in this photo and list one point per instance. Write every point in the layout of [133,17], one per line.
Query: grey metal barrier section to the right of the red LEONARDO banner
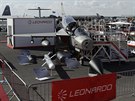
[125,82]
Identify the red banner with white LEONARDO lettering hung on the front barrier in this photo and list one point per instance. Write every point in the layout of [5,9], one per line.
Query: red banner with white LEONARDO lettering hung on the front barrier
[99,88]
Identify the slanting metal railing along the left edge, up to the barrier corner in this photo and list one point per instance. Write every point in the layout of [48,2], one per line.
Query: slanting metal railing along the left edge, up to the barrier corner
[18,87]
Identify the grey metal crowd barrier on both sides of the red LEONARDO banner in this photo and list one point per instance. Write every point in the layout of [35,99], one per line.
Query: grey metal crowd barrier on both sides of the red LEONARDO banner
[125,85]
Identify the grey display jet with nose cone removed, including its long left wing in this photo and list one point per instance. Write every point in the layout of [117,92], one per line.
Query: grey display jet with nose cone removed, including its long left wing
[79,36]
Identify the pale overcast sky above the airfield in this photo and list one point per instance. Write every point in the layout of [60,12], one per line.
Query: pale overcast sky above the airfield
[71,7]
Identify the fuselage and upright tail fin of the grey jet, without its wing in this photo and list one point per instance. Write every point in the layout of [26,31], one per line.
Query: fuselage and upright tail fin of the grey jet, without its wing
[79,36]
